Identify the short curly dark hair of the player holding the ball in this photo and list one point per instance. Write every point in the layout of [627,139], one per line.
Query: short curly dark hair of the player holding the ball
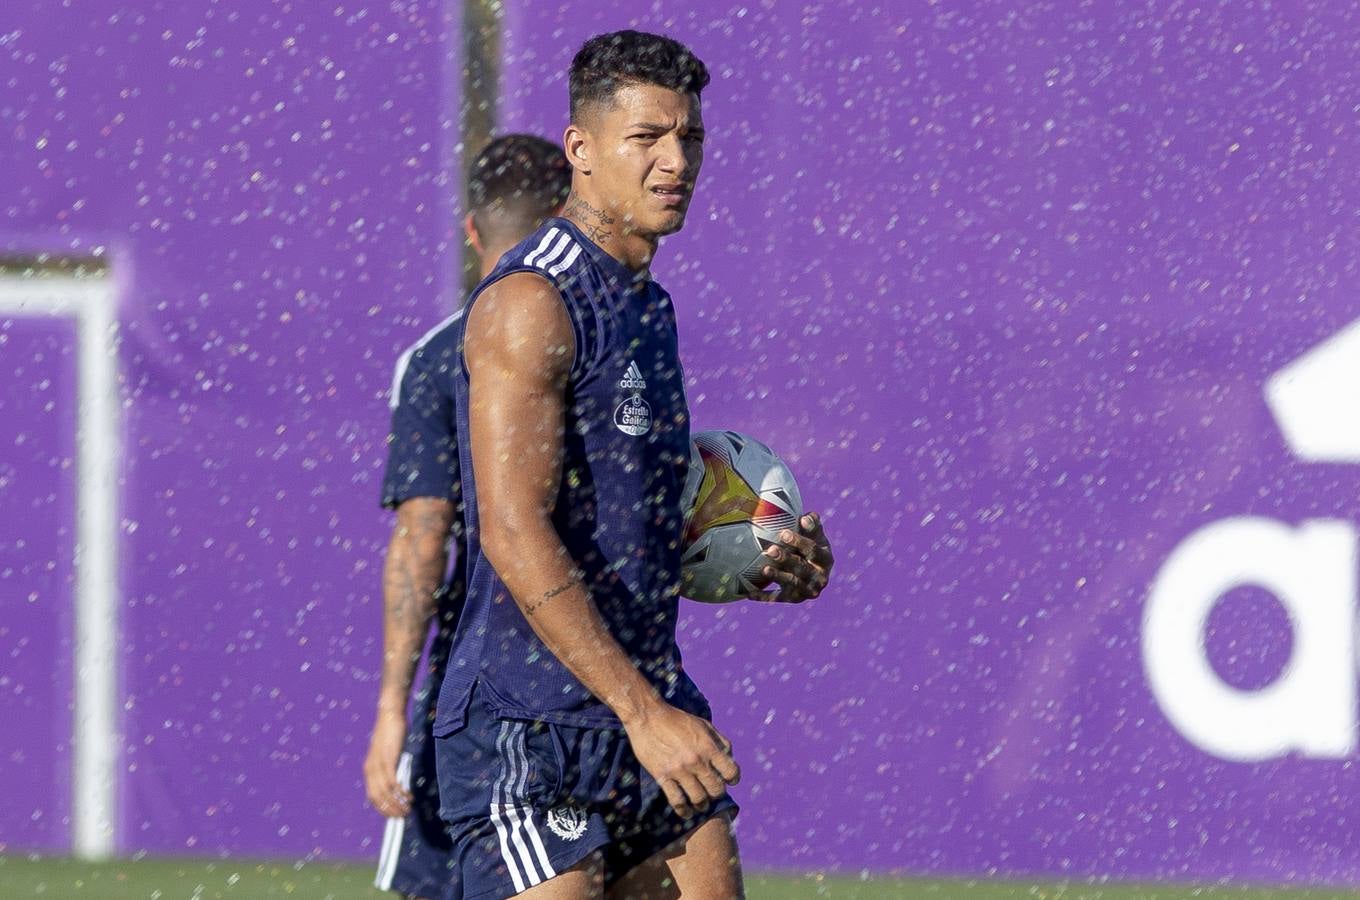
[609,62]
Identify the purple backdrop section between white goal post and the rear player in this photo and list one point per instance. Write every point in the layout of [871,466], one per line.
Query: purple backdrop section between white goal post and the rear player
[271,184]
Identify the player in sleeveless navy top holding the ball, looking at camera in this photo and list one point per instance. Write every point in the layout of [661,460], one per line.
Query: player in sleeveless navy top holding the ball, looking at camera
[576,757]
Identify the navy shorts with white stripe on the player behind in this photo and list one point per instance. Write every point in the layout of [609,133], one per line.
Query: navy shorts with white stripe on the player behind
[417,857]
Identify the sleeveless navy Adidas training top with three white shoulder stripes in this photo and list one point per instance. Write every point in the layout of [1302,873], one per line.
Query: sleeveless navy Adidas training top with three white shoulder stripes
[618,509]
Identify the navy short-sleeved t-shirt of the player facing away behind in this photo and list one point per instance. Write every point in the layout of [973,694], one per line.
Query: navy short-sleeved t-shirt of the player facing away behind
[424,462]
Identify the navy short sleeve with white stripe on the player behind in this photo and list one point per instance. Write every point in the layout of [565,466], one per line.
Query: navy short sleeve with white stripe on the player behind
[422,449]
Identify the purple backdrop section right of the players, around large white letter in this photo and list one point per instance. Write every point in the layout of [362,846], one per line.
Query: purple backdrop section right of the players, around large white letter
[1004,288]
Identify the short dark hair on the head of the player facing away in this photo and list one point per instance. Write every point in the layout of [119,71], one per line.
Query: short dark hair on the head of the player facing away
[517,181]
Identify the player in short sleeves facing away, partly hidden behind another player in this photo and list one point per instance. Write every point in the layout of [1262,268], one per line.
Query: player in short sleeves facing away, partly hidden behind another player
[513,187]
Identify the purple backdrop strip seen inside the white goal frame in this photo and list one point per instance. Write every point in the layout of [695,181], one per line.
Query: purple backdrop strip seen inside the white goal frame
[37,539]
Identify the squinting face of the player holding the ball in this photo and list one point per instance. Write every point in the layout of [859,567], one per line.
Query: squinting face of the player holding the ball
[649,149]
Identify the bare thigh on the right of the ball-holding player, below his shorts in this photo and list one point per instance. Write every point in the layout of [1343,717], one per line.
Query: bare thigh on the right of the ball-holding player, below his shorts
[704,865]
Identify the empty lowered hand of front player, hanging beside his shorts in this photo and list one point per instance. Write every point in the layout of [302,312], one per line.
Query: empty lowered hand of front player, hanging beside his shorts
[687,757]
